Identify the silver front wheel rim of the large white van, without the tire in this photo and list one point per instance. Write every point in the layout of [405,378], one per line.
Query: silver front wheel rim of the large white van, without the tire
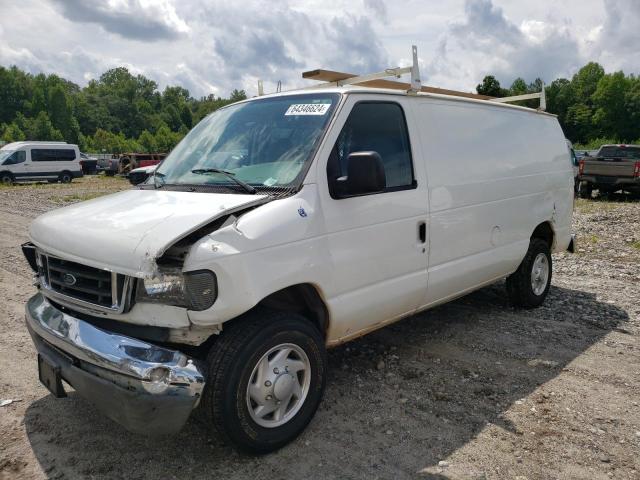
[278,385]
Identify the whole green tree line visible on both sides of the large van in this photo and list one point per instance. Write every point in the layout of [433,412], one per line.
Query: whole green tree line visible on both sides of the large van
[121,112]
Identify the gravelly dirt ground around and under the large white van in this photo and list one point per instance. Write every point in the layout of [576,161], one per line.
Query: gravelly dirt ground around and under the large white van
[470,390]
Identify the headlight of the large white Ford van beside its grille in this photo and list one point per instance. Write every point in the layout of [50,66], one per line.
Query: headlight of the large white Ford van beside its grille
[196,290]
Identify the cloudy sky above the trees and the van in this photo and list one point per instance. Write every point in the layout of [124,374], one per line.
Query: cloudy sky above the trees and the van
[211,46]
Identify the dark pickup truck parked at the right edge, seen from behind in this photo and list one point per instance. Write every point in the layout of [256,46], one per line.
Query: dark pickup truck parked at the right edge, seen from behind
[613,168]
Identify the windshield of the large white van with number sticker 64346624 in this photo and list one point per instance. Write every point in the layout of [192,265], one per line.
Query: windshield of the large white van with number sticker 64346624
[262,143]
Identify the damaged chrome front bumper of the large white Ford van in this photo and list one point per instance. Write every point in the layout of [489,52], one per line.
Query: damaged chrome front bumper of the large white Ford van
[146,388]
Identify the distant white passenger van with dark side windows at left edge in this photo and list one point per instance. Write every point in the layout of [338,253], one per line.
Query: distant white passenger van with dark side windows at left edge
[28,161]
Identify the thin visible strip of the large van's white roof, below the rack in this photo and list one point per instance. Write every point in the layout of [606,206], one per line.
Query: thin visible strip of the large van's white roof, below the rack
[355,89]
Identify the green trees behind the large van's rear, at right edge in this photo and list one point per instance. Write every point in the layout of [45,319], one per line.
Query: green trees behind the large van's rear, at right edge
[593,107]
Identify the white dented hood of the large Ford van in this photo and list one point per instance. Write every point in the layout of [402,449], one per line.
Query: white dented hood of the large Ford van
[127,231]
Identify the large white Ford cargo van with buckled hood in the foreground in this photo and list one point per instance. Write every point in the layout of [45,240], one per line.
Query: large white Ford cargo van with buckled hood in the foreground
[283,225]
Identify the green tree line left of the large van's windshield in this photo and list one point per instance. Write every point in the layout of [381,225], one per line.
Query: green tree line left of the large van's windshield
[119,112]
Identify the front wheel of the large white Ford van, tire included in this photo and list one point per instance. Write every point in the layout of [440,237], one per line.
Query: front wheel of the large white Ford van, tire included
[232,365]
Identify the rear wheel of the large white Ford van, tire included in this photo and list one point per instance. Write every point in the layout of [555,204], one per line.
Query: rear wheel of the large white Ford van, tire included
[524,287]
